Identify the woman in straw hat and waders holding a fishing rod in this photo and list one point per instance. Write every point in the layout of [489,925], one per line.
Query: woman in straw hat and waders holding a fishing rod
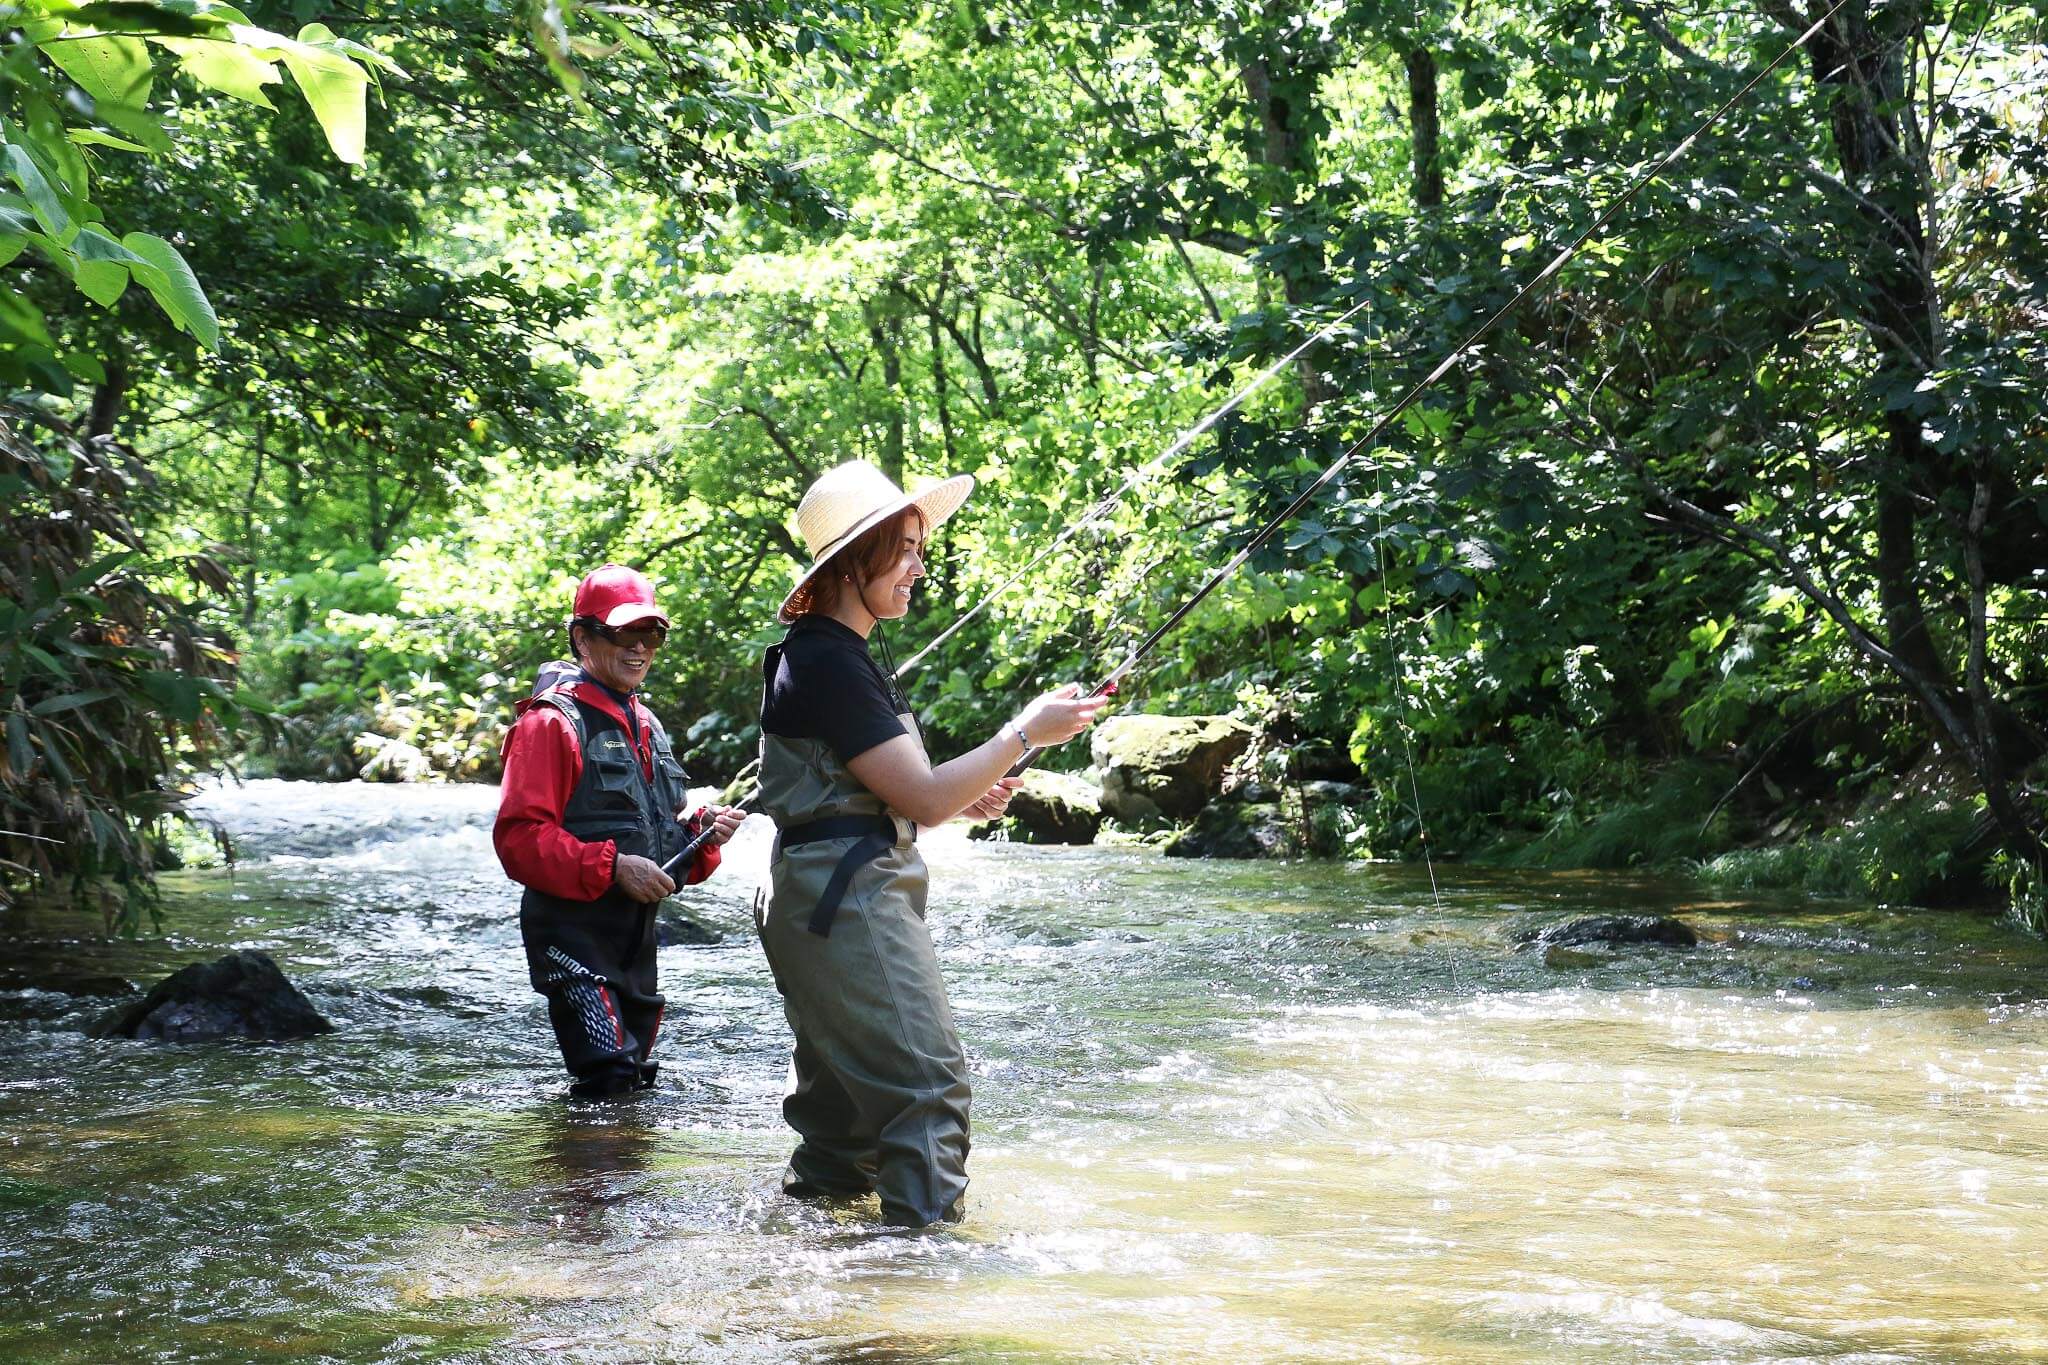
[880,1080]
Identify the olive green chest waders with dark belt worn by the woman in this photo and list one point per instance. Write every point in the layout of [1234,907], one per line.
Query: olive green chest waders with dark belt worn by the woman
[880,1082]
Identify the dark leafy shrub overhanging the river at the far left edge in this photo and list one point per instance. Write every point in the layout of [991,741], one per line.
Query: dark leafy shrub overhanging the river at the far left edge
[108,678]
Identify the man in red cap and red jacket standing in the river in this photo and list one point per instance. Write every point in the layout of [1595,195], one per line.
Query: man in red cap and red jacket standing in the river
[591,811]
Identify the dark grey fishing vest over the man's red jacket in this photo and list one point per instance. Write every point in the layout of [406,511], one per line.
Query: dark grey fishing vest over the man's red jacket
[613,797]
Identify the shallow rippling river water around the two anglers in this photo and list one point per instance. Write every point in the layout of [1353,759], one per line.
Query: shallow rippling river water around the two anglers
[1224,1112]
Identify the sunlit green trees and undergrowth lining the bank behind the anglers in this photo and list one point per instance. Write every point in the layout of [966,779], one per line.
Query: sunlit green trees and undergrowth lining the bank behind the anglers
[1727,552]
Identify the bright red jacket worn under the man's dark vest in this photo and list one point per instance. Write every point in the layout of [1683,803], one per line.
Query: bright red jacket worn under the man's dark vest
[544,766]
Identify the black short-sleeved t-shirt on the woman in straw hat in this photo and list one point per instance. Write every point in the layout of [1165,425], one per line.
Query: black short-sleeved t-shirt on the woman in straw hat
[824,685]
